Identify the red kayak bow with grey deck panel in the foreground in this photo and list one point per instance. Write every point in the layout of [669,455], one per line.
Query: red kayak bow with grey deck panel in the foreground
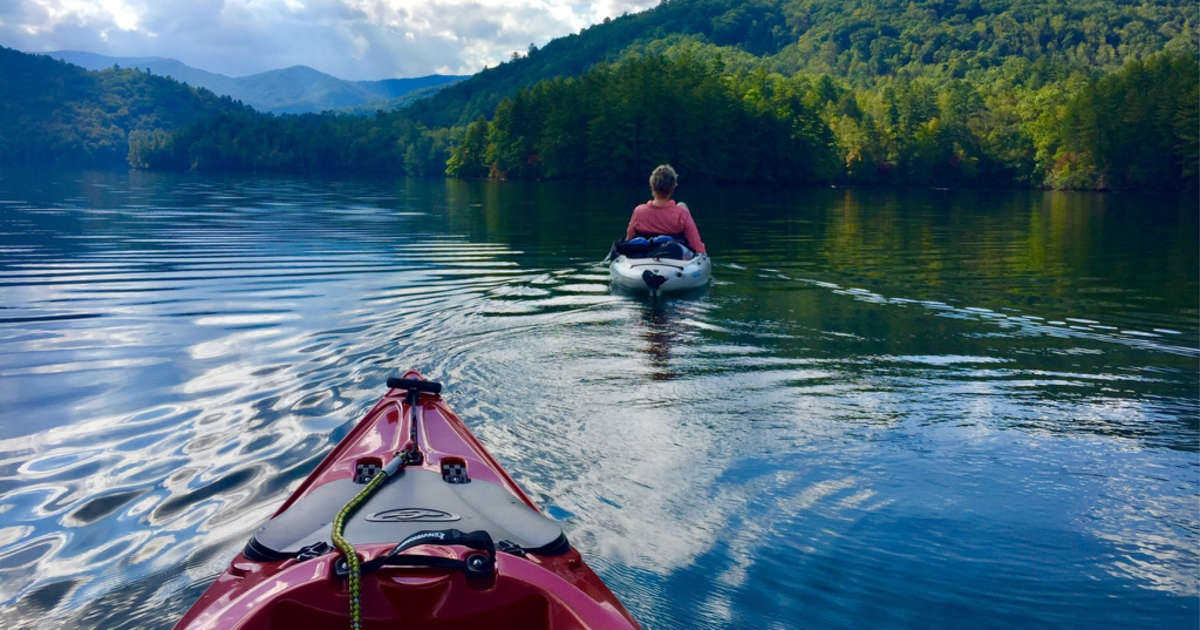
[410,523]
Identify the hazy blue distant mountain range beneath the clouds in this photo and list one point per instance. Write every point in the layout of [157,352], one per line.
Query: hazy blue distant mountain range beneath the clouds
[292,91]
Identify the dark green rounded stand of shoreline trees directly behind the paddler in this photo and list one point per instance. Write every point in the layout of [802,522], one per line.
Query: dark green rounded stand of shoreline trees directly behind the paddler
[620,122]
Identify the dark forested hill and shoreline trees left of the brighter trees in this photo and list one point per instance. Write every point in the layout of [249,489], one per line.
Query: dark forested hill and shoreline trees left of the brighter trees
[56,113]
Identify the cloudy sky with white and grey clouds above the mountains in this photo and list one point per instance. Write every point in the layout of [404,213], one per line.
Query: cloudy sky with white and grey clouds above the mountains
[350,39]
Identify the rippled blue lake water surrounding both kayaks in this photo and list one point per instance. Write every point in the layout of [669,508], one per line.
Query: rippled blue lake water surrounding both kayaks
[917,410]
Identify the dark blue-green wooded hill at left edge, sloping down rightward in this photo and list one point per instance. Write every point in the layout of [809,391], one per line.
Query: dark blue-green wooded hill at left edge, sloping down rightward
[62,115]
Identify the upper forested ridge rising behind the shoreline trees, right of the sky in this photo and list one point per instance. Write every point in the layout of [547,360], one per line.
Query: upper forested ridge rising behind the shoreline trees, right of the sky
[859,41]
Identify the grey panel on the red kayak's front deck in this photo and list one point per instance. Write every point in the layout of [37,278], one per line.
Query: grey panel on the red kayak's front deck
[415,501]
